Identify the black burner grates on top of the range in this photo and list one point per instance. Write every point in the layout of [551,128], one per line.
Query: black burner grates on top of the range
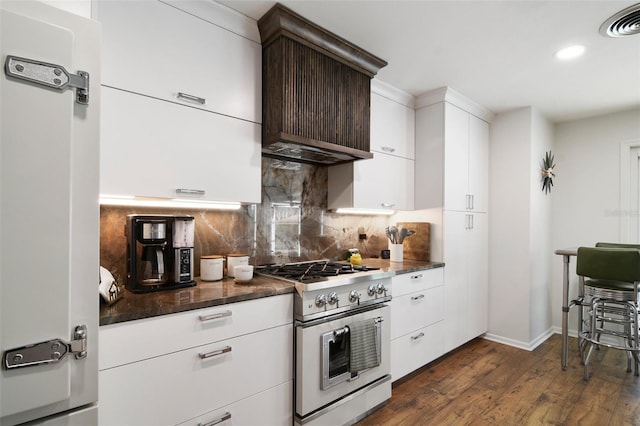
[312,271]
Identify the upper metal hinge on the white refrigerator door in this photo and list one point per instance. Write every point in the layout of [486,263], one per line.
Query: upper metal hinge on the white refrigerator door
[50,75]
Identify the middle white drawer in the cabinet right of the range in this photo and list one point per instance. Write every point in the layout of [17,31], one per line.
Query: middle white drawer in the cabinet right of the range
[416,310]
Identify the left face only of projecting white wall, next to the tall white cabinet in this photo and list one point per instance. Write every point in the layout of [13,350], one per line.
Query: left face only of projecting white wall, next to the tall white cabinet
[509,309]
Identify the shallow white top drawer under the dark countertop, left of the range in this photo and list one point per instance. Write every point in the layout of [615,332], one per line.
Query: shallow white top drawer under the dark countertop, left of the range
[137,340]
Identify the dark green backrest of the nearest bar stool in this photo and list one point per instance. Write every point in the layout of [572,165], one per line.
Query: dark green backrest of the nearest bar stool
[609,263]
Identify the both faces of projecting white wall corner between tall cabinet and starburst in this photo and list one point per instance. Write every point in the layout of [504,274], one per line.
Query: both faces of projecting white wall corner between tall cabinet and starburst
[519,230]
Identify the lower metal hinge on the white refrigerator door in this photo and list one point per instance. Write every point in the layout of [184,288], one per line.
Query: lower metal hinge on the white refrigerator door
[47,352]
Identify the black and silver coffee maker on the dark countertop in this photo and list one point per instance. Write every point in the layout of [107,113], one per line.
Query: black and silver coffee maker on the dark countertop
[153,263]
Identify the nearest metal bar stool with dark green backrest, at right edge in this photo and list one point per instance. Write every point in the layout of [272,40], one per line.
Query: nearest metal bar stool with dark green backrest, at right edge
[610,277]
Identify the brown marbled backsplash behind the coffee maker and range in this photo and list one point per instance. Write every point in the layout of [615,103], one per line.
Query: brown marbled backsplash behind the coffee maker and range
[291,224]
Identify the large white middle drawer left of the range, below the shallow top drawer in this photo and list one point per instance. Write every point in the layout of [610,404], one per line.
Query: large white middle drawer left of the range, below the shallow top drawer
[174,388]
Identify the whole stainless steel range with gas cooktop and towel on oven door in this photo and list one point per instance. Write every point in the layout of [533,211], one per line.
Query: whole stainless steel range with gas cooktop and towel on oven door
[342,339]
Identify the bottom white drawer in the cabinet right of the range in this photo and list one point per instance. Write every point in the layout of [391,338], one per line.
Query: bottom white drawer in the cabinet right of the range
[413,350]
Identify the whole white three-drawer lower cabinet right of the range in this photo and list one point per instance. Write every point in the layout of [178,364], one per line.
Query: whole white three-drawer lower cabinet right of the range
[416,320]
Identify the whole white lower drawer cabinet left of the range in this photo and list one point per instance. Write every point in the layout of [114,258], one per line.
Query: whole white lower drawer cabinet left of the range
[228,378]
